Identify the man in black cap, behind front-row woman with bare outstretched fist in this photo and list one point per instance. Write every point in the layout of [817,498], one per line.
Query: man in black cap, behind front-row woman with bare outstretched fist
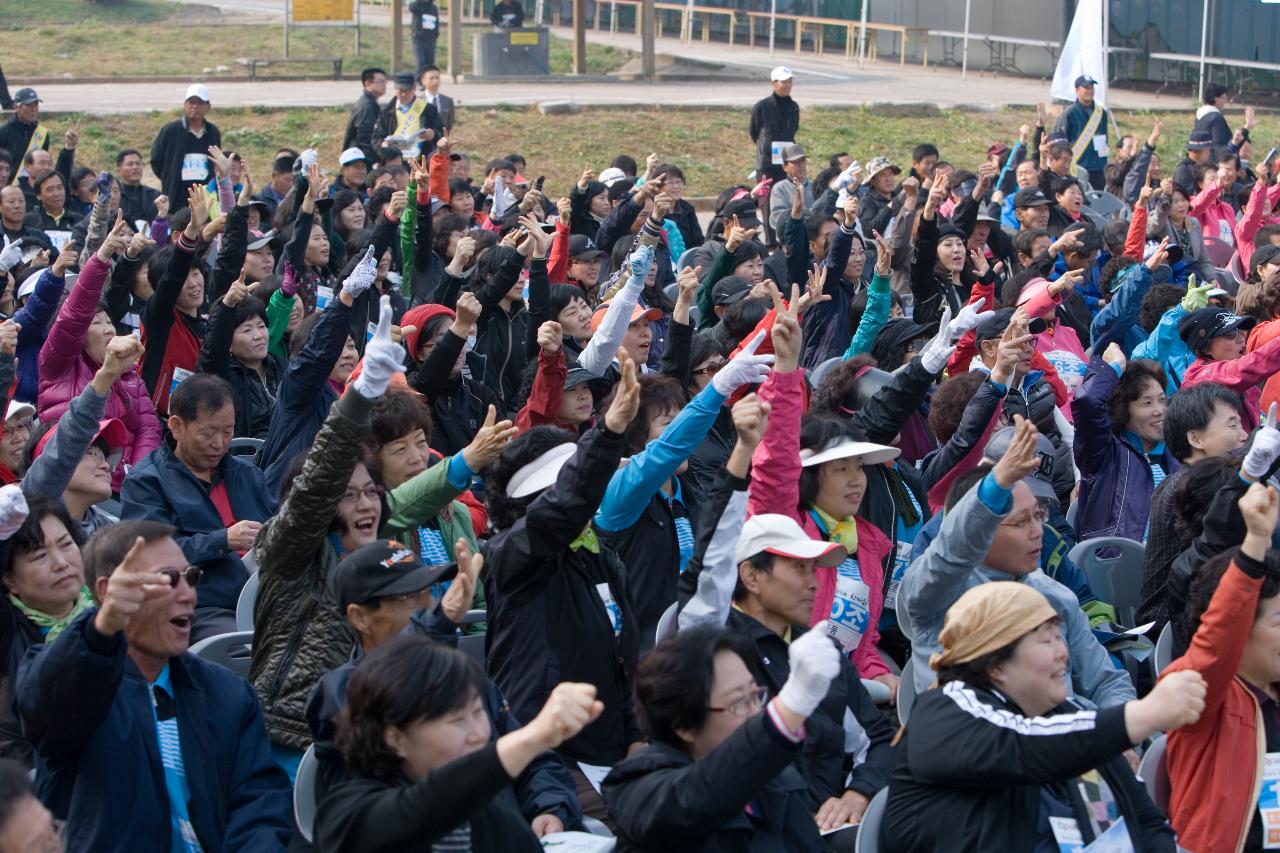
[380,606]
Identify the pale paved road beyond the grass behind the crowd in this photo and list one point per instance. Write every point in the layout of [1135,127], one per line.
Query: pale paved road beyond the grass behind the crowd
[828,81]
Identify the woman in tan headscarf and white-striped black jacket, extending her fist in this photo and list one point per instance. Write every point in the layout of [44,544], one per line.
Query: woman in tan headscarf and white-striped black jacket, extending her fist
[990,759]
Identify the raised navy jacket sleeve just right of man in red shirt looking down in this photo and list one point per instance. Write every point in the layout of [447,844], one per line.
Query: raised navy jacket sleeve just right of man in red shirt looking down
[305,395]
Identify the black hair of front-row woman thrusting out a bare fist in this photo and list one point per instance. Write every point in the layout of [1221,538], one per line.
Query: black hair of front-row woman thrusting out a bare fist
[408,681]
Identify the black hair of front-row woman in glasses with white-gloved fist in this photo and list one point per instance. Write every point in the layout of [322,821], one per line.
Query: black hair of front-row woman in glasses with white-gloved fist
[674,683]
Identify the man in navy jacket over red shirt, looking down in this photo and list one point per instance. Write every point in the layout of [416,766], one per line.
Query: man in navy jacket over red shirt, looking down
[216,501]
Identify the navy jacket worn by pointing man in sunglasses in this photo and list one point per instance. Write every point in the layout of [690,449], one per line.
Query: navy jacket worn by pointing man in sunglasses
[88,711]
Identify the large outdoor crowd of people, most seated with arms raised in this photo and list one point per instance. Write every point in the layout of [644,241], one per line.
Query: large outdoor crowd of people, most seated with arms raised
[577,505]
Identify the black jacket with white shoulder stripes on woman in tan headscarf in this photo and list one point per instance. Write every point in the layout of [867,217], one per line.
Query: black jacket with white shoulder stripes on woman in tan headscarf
[972,767]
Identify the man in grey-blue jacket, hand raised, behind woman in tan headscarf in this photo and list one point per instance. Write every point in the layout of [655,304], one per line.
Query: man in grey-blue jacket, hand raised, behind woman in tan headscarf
[994,531]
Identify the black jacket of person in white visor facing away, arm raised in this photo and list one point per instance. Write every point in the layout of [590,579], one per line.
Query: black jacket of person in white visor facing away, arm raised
[547,619]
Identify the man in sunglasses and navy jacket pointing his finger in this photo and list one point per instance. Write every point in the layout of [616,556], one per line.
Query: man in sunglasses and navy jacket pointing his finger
[181,741]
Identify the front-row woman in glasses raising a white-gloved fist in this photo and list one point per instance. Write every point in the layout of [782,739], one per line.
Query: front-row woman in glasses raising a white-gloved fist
[717,774]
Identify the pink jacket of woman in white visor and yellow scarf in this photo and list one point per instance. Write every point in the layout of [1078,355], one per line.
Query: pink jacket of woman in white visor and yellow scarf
[776,489]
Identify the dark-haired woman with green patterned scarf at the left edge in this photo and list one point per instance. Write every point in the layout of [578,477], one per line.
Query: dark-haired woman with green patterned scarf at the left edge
[44,586]
